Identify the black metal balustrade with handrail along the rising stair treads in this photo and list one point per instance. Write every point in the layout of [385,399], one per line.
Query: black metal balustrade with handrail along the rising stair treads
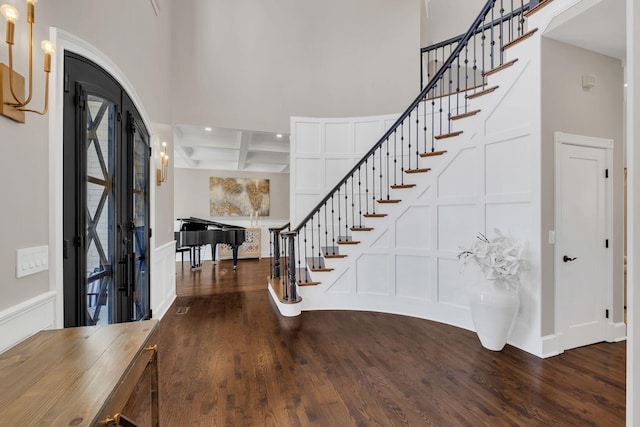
[418,132]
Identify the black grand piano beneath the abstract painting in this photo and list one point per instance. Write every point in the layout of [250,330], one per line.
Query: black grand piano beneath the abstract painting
[195,233]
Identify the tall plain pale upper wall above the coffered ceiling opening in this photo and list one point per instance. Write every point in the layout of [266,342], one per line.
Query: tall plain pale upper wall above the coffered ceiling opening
[266,61]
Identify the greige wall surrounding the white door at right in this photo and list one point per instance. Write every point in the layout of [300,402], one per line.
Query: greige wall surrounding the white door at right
[598,112]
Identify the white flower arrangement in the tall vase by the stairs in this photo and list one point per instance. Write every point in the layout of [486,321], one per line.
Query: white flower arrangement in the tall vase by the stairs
[498,258]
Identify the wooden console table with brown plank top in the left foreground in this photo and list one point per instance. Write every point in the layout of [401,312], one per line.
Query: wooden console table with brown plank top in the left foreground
[77,376]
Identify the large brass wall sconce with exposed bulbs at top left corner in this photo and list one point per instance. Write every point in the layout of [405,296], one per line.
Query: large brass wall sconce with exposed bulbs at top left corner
[14,104]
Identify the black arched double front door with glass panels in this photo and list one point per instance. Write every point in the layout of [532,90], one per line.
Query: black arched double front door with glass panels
[106,200]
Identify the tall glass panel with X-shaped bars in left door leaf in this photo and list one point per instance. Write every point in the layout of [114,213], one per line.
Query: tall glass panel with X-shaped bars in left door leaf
[99,237]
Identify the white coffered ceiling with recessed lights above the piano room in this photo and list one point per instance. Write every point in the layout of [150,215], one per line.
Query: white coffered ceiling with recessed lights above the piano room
[230,149]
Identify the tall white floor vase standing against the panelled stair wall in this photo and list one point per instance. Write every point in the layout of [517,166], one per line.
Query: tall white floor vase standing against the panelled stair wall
[494,305]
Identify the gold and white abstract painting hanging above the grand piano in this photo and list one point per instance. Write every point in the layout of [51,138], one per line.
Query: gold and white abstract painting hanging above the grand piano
[238,196]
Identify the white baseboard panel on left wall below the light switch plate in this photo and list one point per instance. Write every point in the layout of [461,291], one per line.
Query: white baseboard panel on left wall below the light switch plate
[25,319]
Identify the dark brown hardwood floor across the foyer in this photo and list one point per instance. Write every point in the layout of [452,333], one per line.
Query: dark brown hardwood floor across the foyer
[232,360]
